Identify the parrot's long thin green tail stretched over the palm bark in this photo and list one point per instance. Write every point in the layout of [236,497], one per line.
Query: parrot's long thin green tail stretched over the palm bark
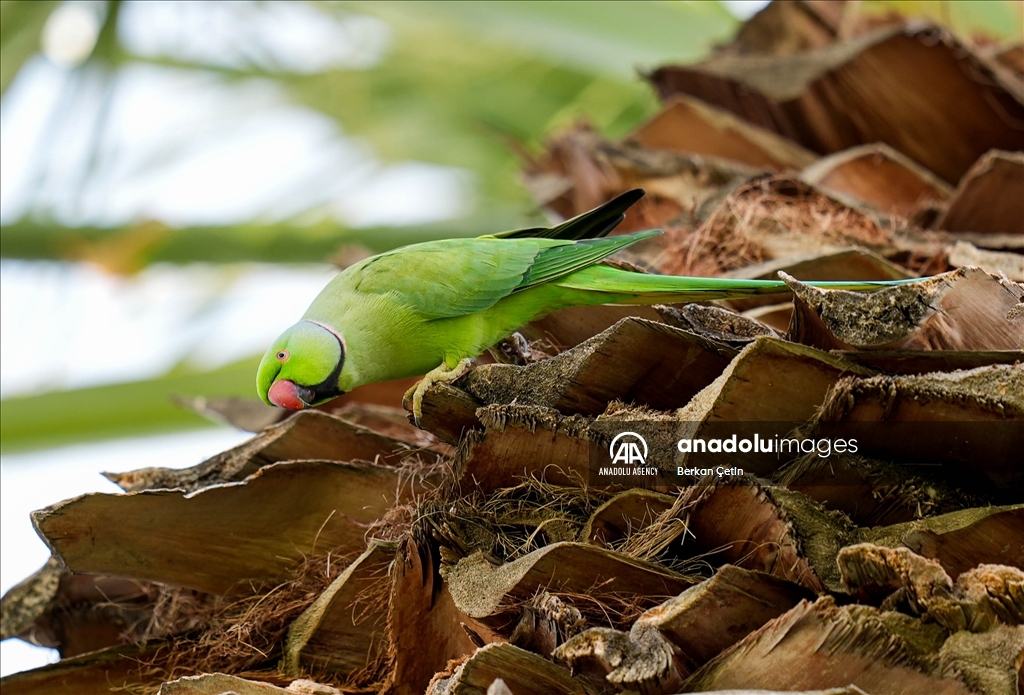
[647,289]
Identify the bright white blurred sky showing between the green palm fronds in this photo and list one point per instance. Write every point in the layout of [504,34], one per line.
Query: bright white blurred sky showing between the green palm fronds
[238,151]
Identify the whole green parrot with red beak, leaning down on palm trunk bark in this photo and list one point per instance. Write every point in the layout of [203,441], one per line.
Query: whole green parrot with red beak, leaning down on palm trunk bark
[431,309]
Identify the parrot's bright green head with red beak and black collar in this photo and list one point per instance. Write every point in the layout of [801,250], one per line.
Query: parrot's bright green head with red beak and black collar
[303,368]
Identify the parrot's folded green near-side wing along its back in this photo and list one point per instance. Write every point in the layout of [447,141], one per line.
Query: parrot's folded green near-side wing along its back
[455,278]
